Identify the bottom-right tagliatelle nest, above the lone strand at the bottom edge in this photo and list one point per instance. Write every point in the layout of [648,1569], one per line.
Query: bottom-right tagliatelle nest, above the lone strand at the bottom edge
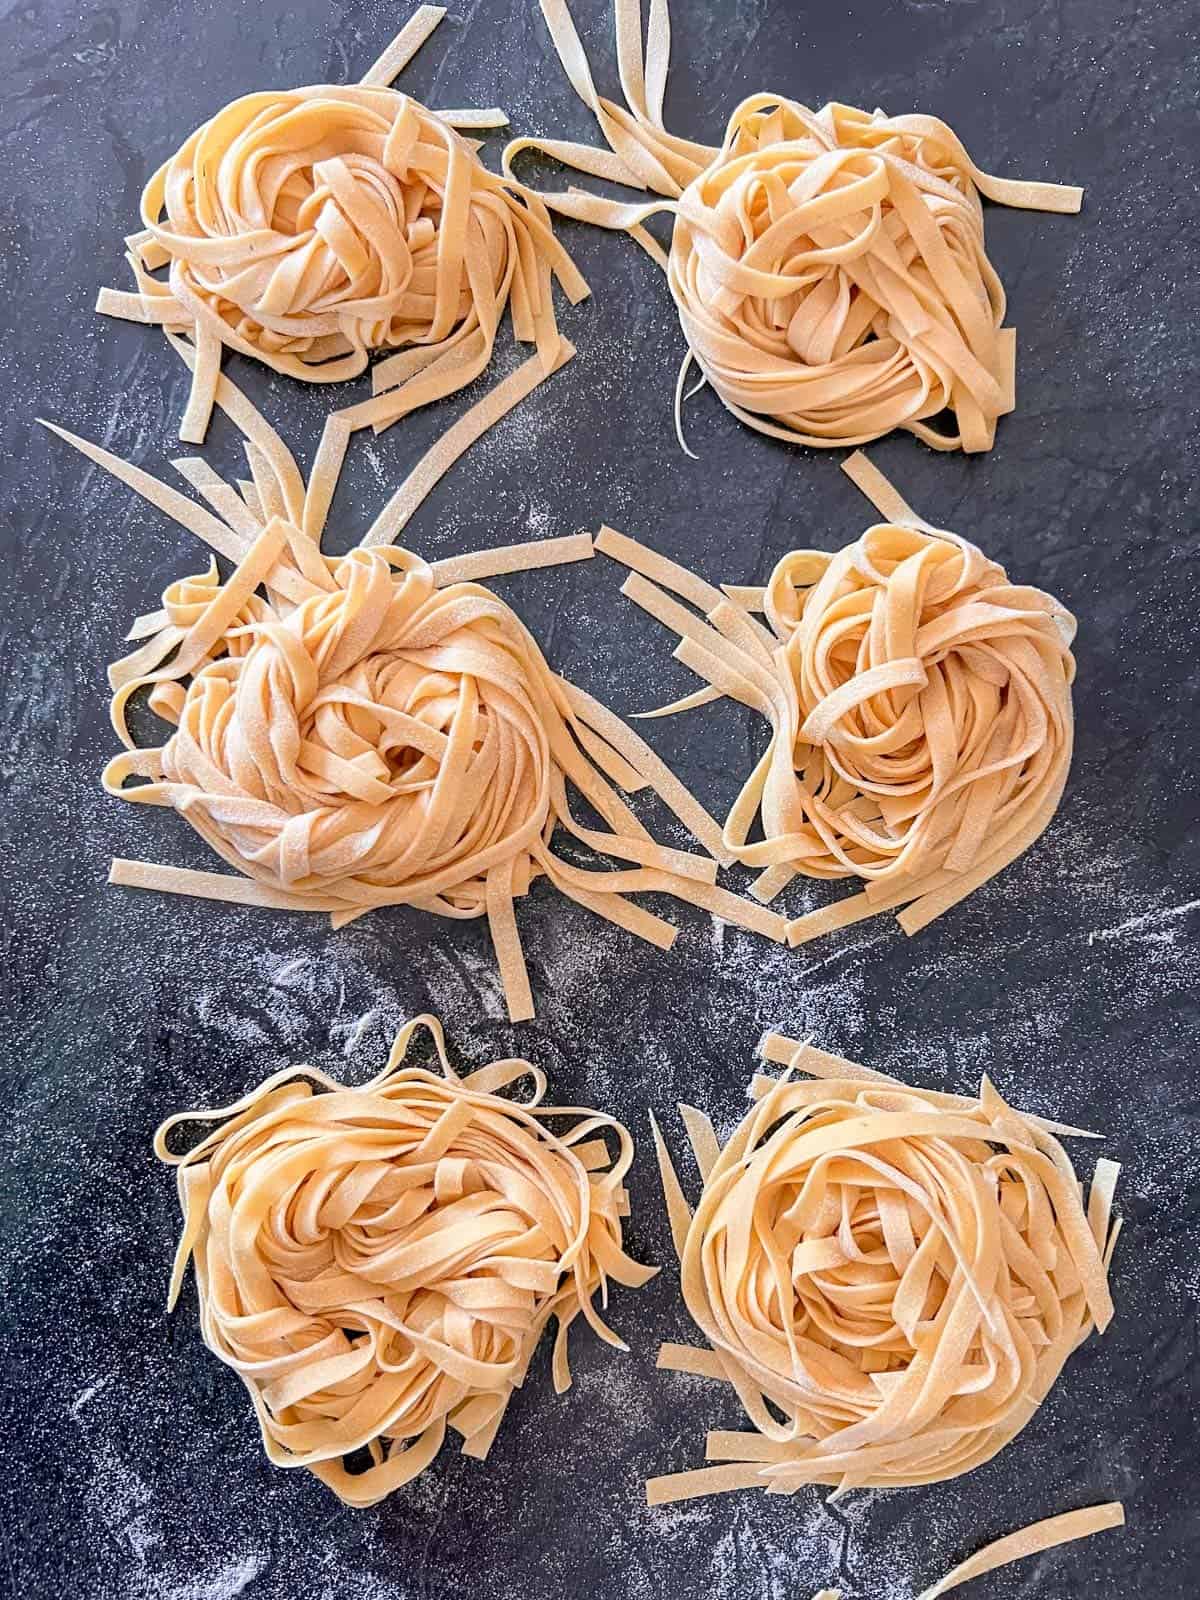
[892,1279]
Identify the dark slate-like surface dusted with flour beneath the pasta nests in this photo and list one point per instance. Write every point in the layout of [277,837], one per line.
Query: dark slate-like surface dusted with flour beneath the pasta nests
[132,1462]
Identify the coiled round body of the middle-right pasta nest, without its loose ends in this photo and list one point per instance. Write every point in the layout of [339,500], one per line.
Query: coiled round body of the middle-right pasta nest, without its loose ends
[927,719]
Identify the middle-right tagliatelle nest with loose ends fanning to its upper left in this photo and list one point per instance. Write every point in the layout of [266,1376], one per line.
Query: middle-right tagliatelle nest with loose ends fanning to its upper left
[919,705]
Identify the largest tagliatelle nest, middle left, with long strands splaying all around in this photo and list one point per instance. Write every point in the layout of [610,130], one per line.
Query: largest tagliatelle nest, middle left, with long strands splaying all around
[370,730]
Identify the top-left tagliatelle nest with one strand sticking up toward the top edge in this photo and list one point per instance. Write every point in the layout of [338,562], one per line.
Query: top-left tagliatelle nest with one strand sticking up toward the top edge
[311,228]
